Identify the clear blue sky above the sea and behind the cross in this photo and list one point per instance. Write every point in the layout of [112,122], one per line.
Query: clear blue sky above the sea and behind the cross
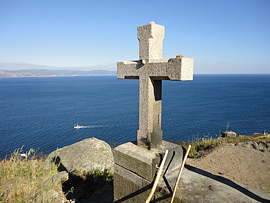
[231,36]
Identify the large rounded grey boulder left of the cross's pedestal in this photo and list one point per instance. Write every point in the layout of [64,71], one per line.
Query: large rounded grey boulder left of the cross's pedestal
[86,155]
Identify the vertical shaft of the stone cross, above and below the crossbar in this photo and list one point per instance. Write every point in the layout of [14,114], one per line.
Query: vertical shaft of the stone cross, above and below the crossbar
[149,135]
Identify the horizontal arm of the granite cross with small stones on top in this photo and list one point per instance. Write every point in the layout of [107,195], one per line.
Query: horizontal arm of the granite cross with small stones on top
[162,69]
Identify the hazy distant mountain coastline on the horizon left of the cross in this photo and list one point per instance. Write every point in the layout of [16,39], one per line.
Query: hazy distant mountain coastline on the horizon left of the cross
[30,70]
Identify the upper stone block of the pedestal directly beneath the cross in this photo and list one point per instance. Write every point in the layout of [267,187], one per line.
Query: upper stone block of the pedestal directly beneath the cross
[144,162]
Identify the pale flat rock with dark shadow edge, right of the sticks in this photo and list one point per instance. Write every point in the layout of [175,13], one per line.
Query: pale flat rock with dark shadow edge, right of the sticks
[197,185]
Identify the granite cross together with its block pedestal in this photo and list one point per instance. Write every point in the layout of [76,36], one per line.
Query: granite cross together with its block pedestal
[135,166]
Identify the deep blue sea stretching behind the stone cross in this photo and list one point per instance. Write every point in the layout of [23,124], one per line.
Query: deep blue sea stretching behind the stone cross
[40,113]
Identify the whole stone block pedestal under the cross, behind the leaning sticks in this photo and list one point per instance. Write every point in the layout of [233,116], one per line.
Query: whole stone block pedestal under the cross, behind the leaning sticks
[136,167]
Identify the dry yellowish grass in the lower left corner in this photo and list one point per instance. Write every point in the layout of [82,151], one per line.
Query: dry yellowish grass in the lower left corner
[24,179]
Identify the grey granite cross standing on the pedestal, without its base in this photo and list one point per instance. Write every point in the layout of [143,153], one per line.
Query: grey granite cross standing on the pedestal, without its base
[151,69]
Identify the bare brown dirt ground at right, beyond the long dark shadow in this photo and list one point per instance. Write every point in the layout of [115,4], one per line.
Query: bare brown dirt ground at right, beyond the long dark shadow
[237,163]
